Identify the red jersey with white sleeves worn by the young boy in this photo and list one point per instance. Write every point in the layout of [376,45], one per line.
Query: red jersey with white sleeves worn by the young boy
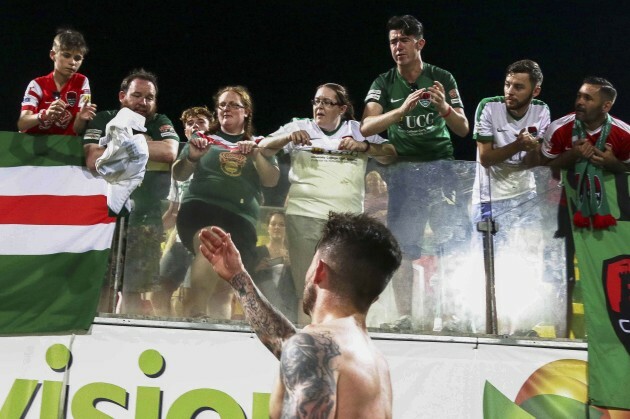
[42,91]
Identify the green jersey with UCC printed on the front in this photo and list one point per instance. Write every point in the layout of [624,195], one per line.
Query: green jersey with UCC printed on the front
[422,135]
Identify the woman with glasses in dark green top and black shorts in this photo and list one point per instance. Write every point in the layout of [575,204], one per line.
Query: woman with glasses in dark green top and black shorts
[225,191]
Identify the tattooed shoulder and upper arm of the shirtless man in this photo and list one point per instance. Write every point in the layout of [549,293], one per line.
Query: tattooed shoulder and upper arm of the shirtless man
[309,377]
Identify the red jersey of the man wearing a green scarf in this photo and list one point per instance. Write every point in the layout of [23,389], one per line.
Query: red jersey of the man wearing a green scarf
[559,138]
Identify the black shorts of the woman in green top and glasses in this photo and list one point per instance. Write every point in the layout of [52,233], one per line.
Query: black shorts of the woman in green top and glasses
[195,215]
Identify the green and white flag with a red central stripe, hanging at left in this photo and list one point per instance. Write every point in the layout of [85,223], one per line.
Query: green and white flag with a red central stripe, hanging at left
[55,235]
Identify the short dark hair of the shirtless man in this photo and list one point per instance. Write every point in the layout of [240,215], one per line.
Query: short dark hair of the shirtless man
[362,255]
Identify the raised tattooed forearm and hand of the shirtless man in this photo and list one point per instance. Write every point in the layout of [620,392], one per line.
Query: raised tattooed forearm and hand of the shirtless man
[271,326]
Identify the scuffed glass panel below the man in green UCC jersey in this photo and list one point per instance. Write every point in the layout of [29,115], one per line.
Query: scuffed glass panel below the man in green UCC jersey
[428,213]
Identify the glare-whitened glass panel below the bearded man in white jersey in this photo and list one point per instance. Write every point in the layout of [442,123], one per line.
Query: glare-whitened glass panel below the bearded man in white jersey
[529,261]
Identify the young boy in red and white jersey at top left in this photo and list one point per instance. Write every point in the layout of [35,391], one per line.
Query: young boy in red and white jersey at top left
[51,102]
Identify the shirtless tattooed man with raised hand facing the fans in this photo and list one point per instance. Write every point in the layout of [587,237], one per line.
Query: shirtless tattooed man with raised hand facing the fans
[331,368]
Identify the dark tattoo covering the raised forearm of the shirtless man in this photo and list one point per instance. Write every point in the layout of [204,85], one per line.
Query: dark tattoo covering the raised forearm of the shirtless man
[268,323]
